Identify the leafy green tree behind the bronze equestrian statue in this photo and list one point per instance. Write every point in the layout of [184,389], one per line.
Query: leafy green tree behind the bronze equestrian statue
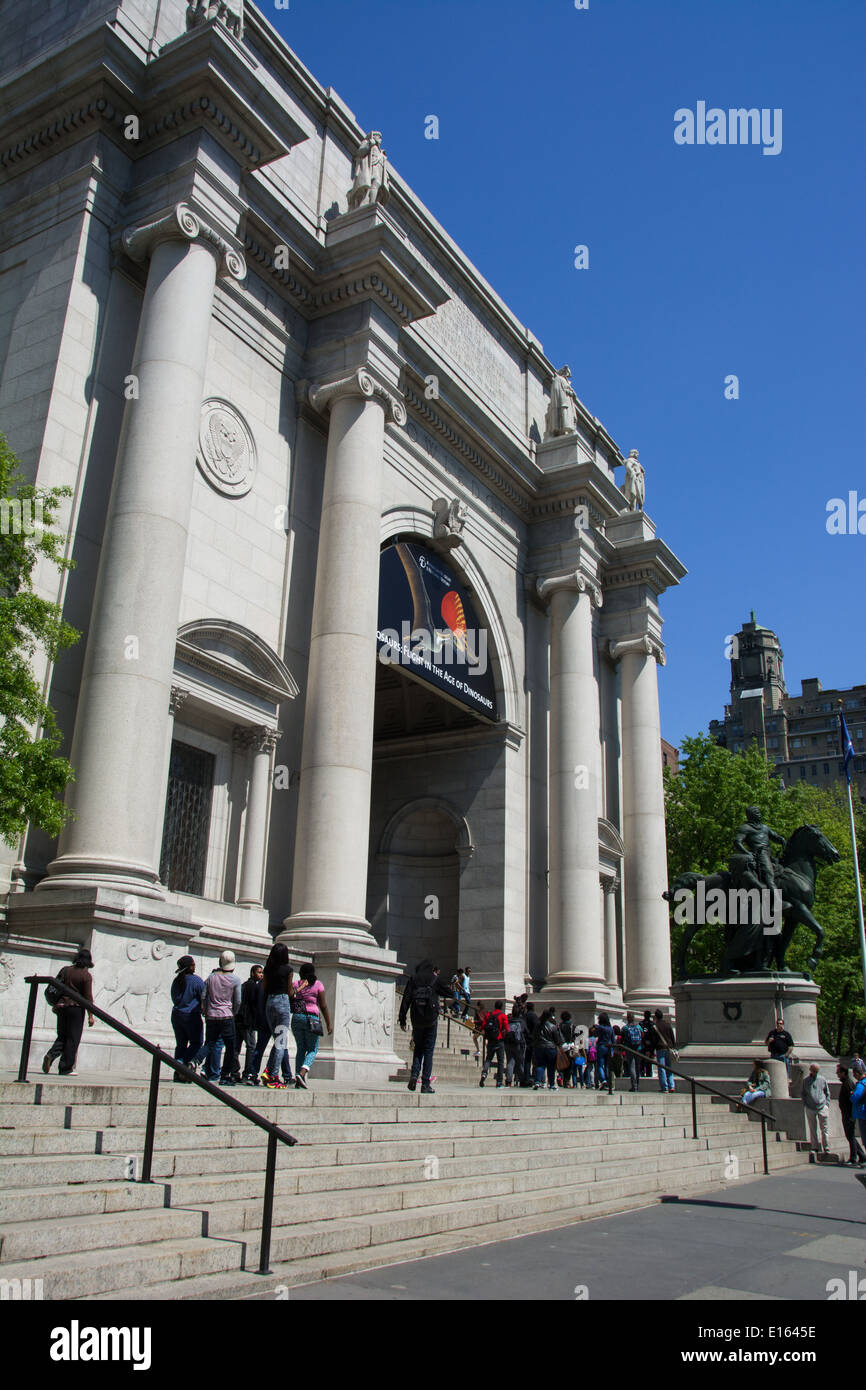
[705,806]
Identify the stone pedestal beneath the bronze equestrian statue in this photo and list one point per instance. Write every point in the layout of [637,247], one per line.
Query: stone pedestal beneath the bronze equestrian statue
[724,1022]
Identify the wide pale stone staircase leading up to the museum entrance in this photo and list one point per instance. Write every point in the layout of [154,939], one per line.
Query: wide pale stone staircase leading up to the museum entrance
[379,1177]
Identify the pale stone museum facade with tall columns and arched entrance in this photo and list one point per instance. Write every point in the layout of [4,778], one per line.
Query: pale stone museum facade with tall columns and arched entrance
[294,416]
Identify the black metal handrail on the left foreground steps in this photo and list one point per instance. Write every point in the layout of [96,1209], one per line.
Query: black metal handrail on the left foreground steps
[275,1132]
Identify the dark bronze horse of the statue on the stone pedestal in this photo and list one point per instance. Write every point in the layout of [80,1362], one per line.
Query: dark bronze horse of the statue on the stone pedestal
[747,947]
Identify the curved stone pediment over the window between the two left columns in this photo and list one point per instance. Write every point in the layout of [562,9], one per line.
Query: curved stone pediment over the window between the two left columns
[237,657]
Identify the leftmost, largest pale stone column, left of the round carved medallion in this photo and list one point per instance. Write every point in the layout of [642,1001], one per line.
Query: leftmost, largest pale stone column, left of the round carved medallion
[124,700]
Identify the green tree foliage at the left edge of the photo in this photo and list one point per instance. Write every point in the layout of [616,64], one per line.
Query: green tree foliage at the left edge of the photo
[33,772]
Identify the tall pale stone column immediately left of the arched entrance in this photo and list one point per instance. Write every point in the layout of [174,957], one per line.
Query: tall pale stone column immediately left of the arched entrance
[332,847]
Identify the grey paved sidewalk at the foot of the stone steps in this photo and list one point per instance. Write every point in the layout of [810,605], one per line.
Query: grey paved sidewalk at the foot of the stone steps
[764,1239]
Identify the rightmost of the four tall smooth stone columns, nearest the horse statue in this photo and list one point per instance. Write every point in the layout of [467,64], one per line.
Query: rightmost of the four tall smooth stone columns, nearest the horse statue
[646,868]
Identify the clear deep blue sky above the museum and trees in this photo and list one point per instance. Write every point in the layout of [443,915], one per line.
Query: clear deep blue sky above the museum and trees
[557,129]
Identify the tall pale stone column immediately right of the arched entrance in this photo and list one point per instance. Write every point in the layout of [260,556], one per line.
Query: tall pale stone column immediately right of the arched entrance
[575,942]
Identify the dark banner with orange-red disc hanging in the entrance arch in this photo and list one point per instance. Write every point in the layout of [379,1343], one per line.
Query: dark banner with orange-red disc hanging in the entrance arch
[429,626]
